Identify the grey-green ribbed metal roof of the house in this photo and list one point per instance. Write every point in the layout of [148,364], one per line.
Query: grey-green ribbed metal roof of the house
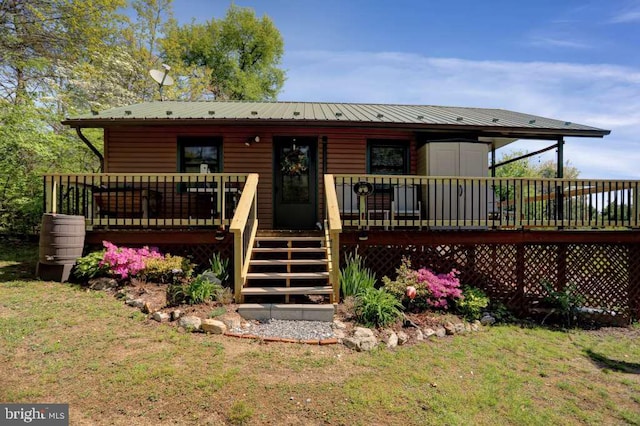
[414,117]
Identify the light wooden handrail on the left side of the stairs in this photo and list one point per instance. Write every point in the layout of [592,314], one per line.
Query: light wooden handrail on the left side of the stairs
[243,227]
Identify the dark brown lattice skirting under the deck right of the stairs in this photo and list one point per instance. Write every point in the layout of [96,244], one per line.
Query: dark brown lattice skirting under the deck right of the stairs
[606,275]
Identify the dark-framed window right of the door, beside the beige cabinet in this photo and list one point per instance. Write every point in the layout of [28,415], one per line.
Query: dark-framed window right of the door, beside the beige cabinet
[388,158]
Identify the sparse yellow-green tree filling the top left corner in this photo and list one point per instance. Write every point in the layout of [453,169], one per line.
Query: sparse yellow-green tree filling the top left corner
[37,37]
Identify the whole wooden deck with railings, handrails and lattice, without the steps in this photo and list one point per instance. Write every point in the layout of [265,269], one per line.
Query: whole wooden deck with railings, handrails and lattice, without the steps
[506,236]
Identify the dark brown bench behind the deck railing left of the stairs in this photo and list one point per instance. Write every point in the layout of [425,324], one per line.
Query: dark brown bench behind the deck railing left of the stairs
[127,202]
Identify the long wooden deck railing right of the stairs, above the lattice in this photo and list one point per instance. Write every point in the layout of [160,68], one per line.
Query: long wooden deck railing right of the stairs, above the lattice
[390,202]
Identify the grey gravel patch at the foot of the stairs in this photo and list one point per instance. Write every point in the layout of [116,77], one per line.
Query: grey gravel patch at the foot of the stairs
[303,330]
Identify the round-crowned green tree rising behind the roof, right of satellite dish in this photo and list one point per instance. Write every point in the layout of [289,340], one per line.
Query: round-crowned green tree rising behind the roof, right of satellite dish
[237,56]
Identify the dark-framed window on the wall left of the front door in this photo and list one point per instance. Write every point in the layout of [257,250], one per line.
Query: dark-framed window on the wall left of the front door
[194,152]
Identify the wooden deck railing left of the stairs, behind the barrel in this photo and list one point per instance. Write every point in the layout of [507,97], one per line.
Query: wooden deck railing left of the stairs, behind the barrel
[145,200]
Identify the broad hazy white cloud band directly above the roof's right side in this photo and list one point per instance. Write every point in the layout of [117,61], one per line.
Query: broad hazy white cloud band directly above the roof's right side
[602,95]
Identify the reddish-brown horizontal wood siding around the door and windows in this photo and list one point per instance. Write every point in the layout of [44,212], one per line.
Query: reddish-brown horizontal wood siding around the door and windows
[154,150]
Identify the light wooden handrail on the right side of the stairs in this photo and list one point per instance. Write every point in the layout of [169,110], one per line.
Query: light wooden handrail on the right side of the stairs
[333,228]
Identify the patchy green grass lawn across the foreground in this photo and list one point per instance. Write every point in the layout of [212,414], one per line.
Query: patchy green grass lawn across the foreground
[60,343]
